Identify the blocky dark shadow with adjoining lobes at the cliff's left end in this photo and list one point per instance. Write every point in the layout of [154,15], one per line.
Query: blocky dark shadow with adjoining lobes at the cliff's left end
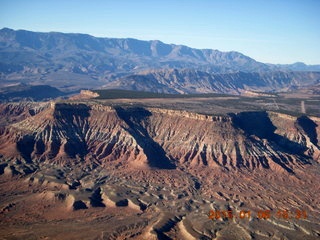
[71,121]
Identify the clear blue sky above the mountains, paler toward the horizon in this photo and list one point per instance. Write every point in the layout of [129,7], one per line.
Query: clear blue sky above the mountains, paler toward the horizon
[274,31]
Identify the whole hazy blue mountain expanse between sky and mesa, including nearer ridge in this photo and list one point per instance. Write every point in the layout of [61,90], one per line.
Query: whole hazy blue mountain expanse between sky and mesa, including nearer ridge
[76,61]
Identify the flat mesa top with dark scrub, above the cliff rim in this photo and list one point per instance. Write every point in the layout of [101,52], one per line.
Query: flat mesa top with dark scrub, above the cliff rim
[212,103]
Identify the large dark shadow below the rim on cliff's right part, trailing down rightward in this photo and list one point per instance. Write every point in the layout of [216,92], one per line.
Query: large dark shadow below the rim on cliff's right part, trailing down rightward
[260,125]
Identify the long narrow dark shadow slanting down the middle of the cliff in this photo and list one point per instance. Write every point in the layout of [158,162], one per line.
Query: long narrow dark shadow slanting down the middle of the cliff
[134,117]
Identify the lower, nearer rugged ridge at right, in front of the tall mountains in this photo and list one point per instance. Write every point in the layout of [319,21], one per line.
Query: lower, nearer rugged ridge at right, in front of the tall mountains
[187,81]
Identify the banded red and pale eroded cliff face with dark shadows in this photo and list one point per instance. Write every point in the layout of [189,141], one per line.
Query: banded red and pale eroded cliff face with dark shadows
[93,134]
